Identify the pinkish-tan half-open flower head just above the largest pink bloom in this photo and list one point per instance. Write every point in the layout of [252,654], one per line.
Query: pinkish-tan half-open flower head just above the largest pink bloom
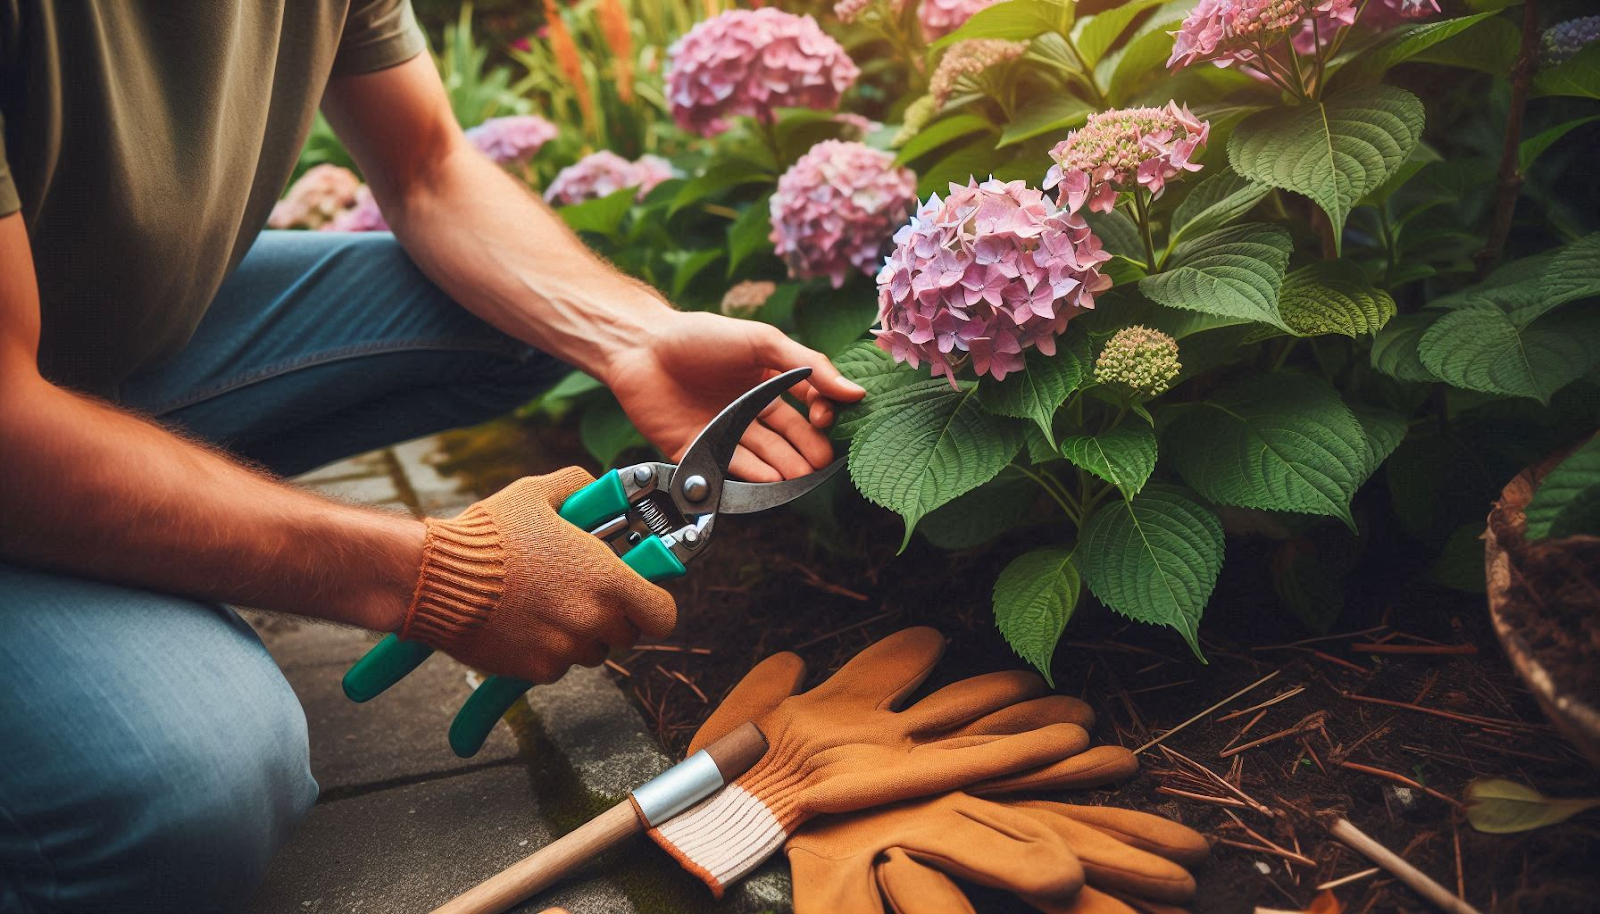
[1124,150]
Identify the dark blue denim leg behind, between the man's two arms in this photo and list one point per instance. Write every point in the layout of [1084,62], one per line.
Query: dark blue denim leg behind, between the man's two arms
[326,345]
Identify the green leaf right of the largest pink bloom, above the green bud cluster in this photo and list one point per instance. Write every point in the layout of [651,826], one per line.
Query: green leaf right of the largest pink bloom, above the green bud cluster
[1231,273]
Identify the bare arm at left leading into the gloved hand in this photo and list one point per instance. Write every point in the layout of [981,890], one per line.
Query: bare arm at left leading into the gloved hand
[94,491]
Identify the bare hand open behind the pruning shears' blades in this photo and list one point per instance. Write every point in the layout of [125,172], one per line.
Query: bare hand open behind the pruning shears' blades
[697,364]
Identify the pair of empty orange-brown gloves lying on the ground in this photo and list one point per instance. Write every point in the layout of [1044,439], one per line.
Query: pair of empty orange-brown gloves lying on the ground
[882,808]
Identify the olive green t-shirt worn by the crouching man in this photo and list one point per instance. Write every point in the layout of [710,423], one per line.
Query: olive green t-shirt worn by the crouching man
[145,143]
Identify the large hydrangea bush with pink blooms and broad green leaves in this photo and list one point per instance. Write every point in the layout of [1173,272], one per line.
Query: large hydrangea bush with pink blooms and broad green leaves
[1190,271]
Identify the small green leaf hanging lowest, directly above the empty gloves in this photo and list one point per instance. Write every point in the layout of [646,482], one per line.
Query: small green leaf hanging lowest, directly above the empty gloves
[1034,598]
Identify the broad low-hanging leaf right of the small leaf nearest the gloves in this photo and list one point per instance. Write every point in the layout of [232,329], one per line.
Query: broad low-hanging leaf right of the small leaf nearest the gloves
[1154,559]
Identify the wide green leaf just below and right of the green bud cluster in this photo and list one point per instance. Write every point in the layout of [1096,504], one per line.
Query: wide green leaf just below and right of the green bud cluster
[1282,443]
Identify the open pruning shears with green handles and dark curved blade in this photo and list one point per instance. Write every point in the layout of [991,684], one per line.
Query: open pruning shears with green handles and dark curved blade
[655,516]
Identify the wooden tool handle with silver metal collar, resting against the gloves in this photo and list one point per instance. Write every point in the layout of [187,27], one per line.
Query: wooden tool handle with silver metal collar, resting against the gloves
[655,803]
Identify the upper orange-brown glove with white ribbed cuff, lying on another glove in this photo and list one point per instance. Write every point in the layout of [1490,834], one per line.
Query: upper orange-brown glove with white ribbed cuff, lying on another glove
[846,747]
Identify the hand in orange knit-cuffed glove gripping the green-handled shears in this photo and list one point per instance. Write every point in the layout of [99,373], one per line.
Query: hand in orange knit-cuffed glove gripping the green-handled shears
[513,590]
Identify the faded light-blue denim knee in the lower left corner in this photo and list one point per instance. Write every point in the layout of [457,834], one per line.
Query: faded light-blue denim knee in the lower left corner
[153,758]
